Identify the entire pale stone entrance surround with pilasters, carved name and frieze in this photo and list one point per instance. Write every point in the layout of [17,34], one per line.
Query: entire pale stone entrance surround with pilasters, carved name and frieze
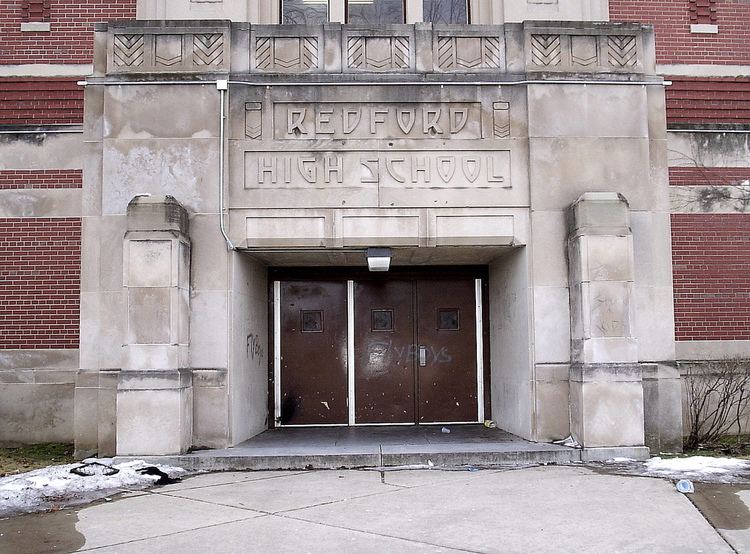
[536,149]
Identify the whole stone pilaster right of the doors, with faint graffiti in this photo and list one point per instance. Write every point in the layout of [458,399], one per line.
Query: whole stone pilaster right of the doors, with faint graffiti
[606,390]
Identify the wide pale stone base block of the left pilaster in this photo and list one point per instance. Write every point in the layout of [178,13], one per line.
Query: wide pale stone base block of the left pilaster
[154,412]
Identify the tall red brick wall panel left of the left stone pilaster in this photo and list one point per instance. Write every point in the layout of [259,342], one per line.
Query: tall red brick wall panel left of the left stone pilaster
[40,261]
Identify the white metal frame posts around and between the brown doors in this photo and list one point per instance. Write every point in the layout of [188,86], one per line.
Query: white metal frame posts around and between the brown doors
[350,283]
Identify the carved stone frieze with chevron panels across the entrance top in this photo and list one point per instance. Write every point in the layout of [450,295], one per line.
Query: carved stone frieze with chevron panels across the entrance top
[204,46]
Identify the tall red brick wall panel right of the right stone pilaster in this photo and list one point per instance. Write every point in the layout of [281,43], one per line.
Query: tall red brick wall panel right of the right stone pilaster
[711,269]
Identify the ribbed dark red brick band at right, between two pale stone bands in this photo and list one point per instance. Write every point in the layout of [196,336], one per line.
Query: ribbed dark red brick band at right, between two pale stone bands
[714,100]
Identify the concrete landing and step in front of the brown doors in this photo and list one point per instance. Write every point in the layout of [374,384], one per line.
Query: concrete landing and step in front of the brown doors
[356,447]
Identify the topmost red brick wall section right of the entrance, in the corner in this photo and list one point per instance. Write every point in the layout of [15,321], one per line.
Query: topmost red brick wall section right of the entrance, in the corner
[674,41]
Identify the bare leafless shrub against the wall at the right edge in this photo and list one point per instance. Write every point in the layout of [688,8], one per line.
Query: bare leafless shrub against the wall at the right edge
[718,399]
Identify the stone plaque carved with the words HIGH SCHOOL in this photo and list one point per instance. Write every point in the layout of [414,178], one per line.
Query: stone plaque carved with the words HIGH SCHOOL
[370,169]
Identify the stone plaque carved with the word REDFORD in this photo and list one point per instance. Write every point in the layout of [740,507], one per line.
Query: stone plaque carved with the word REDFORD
[381,120]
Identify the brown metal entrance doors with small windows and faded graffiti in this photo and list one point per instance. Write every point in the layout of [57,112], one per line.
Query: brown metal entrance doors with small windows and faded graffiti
[414,346]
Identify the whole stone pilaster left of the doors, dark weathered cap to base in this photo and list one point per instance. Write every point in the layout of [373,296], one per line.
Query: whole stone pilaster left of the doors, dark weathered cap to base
[154,393]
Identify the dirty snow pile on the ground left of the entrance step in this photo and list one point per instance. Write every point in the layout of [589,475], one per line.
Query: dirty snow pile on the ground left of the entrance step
[56,487]
